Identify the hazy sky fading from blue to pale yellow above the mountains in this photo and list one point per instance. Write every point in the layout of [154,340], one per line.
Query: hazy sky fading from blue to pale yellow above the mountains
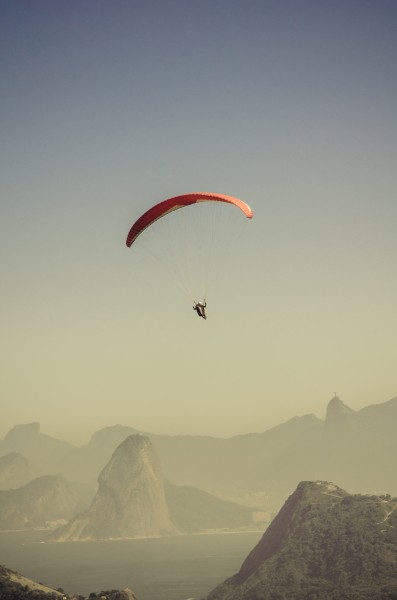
[109,107]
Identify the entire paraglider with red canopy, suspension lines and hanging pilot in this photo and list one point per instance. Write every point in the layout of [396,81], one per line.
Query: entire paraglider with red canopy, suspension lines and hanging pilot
[187,254]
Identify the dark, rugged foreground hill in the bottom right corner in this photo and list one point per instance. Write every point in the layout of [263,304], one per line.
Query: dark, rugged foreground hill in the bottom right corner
[323,544]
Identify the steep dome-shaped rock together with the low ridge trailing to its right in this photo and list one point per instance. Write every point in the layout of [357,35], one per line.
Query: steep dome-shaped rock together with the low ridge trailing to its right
[134,501]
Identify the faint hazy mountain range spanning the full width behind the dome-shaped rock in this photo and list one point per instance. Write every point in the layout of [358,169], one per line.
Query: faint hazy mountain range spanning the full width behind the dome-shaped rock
[355,448]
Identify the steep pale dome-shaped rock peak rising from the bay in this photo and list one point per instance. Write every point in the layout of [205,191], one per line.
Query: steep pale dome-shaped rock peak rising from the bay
[130,501]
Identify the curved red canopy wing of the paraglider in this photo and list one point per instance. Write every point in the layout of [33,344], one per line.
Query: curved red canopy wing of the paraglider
[167,206]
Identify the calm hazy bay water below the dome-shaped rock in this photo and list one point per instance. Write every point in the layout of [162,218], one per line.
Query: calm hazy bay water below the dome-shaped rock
[173,568]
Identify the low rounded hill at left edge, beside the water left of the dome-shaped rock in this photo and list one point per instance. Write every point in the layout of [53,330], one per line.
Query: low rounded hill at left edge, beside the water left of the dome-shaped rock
[41,503]
